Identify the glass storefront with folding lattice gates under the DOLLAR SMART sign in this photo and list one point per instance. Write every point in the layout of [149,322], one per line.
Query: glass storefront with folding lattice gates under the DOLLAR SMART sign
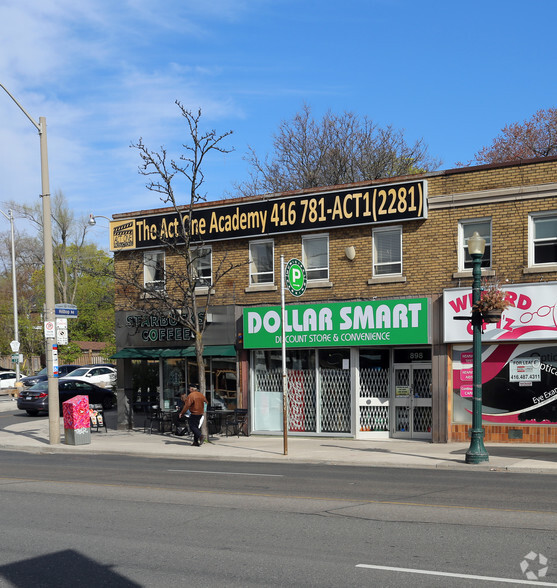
[389,402]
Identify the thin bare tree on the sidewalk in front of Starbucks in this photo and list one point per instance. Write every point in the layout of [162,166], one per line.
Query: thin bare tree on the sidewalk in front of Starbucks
[185,297]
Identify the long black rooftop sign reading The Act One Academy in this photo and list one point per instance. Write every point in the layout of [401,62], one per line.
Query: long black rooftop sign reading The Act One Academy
[270,216]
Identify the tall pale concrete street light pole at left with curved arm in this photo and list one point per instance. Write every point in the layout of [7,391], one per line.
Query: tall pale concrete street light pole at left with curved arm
[53,396]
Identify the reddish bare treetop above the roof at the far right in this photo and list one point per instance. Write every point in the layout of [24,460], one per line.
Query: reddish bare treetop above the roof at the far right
[534,137]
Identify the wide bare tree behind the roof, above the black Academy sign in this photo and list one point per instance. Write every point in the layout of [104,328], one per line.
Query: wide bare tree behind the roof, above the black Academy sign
[337,149]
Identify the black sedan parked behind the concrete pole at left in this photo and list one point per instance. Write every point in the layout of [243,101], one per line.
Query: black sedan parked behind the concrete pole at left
[35,399]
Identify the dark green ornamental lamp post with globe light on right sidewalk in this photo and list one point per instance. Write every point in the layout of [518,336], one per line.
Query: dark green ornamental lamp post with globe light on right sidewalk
[477,452]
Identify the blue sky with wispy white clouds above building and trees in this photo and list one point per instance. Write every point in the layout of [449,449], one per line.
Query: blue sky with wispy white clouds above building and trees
[105,73]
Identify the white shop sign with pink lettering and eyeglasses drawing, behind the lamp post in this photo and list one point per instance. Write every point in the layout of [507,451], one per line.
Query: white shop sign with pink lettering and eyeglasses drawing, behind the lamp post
[532,315]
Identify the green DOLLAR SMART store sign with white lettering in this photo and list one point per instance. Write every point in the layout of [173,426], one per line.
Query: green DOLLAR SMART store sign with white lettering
[385,322]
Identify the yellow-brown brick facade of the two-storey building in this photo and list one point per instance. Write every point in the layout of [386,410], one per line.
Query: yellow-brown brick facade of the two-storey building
[506,194]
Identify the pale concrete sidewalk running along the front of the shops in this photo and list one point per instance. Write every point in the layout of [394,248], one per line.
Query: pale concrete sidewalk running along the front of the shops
[33,436]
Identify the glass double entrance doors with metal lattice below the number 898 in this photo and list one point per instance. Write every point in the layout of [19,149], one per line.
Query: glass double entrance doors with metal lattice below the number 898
[412,402]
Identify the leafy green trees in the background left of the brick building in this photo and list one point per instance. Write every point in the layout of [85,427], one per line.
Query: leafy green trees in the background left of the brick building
[83,276]
